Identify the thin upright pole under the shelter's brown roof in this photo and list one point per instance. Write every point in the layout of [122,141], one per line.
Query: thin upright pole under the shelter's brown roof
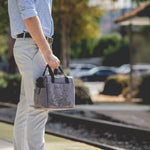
[131,61]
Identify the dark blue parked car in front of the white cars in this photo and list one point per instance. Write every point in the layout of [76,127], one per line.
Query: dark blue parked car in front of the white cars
[97,74]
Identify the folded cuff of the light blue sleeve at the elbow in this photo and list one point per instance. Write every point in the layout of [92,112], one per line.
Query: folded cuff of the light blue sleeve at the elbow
[28,13]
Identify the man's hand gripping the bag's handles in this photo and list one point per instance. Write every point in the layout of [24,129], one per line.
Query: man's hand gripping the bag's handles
[51,60]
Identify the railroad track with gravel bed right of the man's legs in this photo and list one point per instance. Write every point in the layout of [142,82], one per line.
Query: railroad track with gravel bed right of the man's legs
[139,137]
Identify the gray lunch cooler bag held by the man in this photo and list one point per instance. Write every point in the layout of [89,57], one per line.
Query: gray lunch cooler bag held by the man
[54,92]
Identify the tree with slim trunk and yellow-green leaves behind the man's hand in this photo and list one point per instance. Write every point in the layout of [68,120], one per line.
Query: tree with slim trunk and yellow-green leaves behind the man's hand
[74,21]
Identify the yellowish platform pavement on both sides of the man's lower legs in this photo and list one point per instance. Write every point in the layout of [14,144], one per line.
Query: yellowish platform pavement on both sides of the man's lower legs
[52,142]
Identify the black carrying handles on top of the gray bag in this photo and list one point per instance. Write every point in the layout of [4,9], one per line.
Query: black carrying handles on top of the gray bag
[52,74]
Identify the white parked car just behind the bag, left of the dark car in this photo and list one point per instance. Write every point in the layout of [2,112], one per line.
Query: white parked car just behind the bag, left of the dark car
[75,69]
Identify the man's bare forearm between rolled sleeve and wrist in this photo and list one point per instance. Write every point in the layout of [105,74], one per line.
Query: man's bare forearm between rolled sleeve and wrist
[34,28]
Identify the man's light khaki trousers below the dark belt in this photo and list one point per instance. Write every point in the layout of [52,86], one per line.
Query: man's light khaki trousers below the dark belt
[31,64]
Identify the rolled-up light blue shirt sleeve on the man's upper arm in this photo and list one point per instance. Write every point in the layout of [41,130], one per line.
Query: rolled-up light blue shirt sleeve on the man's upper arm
[27,8]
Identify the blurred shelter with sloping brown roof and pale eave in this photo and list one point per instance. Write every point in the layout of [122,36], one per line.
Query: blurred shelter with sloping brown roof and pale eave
[139,36]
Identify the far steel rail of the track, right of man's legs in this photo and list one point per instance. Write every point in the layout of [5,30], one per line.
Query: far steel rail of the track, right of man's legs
[100,123]
